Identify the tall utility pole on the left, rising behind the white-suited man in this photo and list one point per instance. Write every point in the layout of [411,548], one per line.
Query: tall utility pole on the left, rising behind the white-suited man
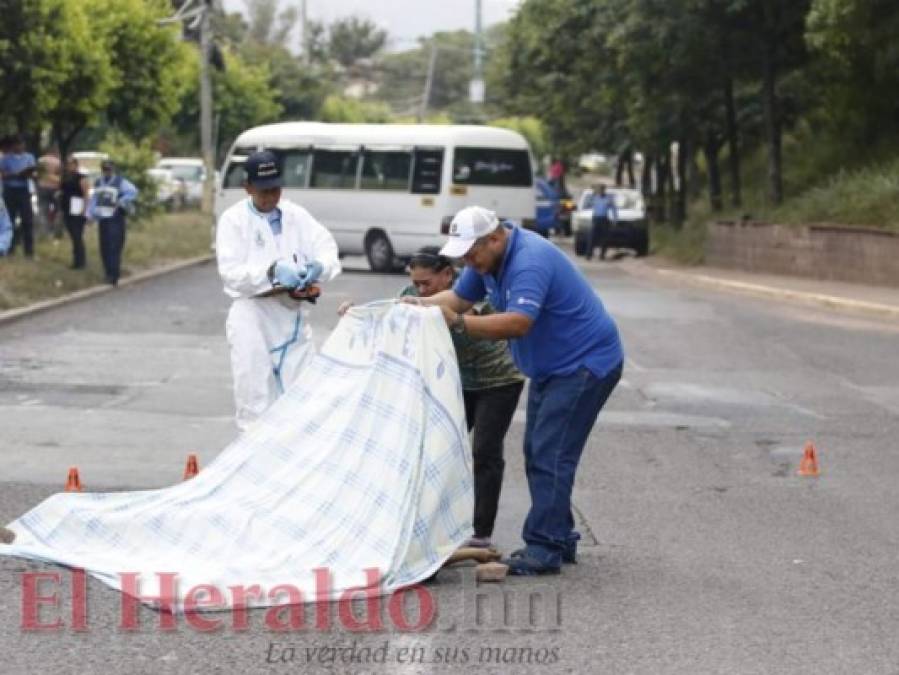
[197,14]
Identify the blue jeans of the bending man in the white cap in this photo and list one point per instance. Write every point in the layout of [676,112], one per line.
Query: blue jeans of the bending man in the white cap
[561,412]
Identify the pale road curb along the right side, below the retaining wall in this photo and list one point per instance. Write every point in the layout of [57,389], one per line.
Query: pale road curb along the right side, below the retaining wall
[762,290]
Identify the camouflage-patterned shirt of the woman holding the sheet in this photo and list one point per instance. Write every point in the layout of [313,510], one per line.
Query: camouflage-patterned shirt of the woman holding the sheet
[483,364]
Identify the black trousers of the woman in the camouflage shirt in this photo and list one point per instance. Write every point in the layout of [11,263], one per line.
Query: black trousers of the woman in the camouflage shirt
[489,413]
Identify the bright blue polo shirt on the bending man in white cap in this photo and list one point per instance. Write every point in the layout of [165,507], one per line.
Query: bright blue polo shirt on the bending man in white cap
[571,327]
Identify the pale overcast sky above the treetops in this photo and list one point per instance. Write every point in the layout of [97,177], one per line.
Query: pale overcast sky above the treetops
[404,20]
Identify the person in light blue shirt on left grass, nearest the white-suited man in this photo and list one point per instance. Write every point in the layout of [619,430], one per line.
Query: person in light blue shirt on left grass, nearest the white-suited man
[111,201]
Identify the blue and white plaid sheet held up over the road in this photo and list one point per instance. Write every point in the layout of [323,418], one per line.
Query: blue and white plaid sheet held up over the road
[365,463]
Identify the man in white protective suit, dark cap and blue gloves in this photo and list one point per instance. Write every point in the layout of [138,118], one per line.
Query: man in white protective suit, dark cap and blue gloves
[269,250]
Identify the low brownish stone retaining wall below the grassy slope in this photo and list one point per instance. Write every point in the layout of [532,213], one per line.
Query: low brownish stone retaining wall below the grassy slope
[817,251]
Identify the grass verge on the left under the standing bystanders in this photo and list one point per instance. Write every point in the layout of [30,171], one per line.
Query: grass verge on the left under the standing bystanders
[161,240]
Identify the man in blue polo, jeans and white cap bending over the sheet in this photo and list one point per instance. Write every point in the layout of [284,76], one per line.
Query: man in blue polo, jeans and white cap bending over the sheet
[562,338]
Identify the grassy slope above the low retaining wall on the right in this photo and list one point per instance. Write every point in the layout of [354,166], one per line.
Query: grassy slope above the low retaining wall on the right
[823,183]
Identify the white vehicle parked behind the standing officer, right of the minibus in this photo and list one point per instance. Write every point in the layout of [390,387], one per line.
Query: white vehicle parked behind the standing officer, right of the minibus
[631,231]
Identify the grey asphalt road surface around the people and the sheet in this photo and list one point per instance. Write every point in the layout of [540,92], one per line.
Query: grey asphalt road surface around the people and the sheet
[704,552]
